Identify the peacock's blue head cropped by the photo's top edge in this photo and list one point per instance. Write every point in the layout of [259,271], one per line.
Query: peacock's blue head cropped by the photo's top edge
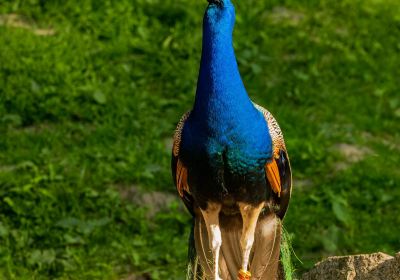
[220,16]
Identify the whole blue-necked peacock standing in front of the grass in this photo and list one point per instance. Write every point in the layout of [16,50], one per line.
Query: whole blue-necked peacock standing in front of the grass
[230,166]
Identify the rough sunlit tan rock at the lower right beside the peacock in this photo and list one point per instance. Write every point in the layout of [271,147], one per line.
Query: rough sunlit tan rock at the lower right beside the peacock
[377,266]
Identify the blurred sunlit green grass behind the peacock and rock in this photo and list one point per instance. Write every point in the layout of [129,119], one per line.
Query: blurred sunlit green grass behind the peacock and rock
[91,91]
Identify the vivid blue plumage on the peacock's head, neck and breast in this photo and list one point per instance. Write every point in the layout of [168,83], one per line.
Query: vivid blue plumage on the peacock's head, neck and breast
[224,119]
